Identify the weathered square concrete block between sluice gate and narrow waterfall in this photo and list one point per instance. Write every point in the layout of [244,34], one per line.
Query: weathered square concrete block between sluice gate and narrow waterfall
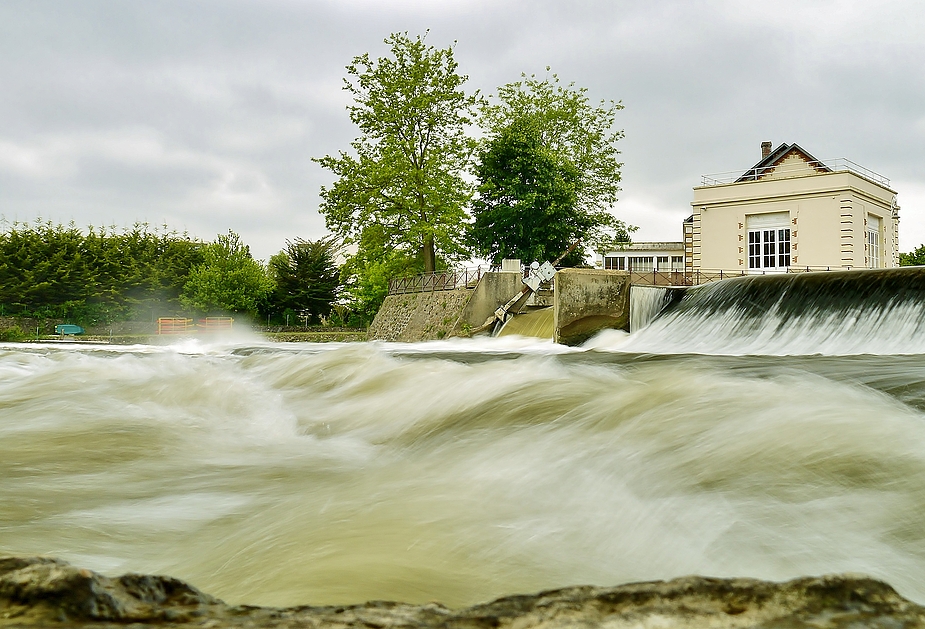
[587,301]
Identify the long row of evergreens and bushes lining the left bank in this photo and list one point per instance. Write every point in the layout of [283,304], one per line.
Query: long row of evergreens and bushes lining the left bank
[52,271]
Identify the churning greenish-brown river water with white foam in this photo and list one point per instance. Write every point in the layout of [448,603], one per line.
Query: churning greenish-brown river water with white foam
[460,471]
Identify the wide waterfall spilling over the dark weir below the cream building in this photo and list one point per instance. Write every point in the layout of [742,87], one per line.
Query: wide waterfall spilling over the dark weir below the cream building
[835,313]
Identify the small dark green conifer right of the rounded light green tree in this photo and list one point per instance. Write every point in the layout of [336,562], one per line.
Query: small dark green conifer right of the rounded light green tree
[306,277]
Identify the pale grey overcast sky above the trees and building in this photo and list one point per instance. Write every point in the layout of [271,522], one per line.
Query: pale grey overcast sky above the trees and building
[205,114]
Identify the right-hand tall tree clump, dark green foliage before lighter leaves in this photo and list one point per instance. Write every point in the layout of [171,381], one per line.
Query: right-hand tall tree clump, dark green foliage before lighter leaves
[548,172]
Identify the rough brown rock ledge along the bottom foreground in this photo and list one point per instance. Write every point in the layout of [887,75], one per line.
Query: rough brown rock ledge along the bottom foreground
[42,592]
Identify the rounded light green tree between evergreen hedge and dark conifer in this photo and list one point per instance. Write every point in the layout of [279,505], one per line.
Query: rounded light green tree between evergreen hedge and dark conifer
[228,280]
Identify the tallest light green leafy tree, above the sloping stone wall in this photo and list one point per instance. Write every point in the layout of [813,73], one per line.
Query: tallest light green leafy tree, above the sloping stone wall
[405,171]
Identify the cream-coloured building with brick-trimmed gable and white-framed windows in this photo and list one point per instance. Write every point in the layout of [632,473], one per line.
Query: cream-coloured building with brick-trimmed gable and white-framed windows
[792,210]
